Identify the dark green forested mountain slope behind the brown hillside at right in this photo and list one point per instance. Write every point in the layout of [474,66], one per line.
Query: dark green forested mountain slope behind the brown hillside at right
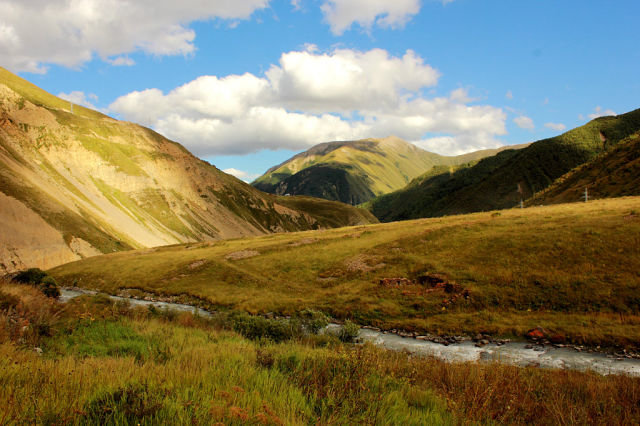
[501,181]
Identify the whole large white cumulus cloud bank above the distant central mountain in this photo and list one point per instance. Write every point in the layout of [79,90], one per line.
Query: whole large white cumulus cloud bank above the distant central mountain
[311,97]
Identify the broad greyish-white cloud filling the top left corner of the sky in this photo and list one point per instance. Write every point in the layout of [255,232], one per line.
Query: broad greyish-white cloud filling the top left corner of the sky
[34,33]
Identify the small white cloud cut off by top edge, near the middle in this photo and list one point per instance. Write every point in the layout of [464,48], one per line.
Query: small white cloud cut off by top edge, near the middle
[342,14]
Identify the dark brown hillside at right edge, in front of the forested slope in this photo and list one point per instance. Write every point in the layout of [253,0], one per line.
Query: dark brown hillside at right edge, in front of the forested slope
[614,173]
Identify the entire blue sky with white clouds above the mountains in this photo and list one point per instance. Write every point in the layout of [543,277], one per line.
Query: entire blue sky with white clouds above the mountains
[246,84]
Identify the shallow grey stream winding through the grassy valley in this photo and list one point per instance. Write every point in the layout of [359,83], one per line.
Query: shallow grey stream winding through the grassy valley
[514,353]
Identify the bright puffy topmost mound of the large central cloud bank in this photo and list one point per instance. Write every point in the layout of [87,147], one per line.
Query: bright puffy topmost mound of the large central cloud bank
[345,79]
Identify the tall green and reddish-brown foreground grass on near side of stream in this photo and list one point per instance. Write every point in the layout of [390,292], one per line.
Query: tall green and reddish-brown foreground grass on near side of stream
[103,362]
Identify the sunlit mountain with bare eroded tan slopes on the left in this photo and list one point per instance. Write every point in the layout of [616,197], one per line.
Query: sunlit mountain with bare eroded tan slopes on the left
[76,183]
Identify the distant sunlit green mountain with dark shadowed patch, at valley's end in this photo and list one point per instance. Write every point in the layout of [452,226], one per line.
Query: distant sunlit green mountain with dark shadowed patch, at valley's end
[355,171]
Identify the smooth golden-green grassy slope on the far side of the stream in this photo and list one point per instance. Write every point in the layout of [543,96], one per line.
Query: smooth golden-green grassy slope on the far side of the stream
[571,269]
